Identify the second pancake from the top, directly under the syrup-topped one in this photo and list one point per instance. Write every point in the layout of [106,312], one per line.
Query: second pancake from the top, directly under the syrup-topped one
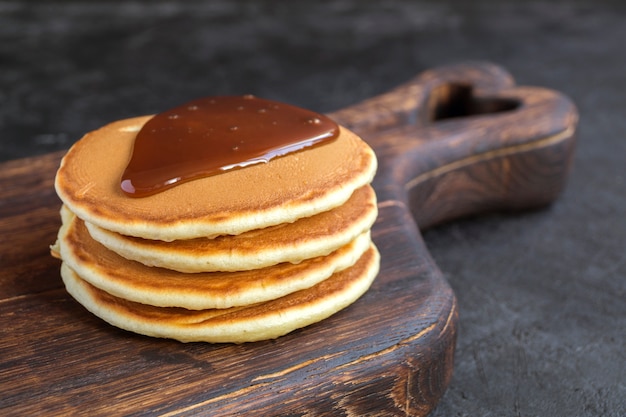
[305,238]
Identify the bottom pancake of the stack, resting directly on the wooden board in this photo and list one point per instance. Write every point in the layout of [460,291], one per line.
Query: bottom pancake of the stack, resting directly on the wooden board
[238,324]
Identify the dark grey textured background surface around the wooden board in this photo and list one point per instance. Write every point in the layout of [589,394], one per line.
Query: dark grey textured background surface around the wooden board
[542,294]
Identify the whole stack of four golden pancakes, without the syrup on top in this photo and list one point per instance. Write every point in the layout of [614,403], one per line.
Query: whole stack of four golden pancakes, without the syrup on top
[246,255]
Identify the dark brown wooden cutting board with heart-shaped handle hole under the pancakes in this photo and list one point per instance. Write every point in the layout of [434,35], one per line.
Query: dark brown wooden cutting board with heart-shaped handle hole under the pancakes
[454,141]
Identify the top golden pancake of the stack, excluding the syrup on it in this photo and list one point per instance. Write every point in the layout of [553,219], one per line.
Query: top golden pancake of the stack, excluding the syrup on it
[283,190]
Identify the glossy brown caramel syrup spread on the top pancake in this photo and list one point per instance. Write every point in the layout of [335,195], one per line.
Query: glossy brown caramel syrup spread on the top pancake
[212,135]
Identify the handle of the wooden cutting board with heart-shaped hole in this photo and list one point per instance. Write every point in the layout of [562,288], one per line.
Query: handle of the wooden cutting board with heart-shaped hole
[464,139]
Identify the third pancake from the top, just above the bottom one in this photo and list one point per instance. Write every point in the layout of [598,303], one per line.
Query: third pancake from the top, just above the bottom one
[166,288]
